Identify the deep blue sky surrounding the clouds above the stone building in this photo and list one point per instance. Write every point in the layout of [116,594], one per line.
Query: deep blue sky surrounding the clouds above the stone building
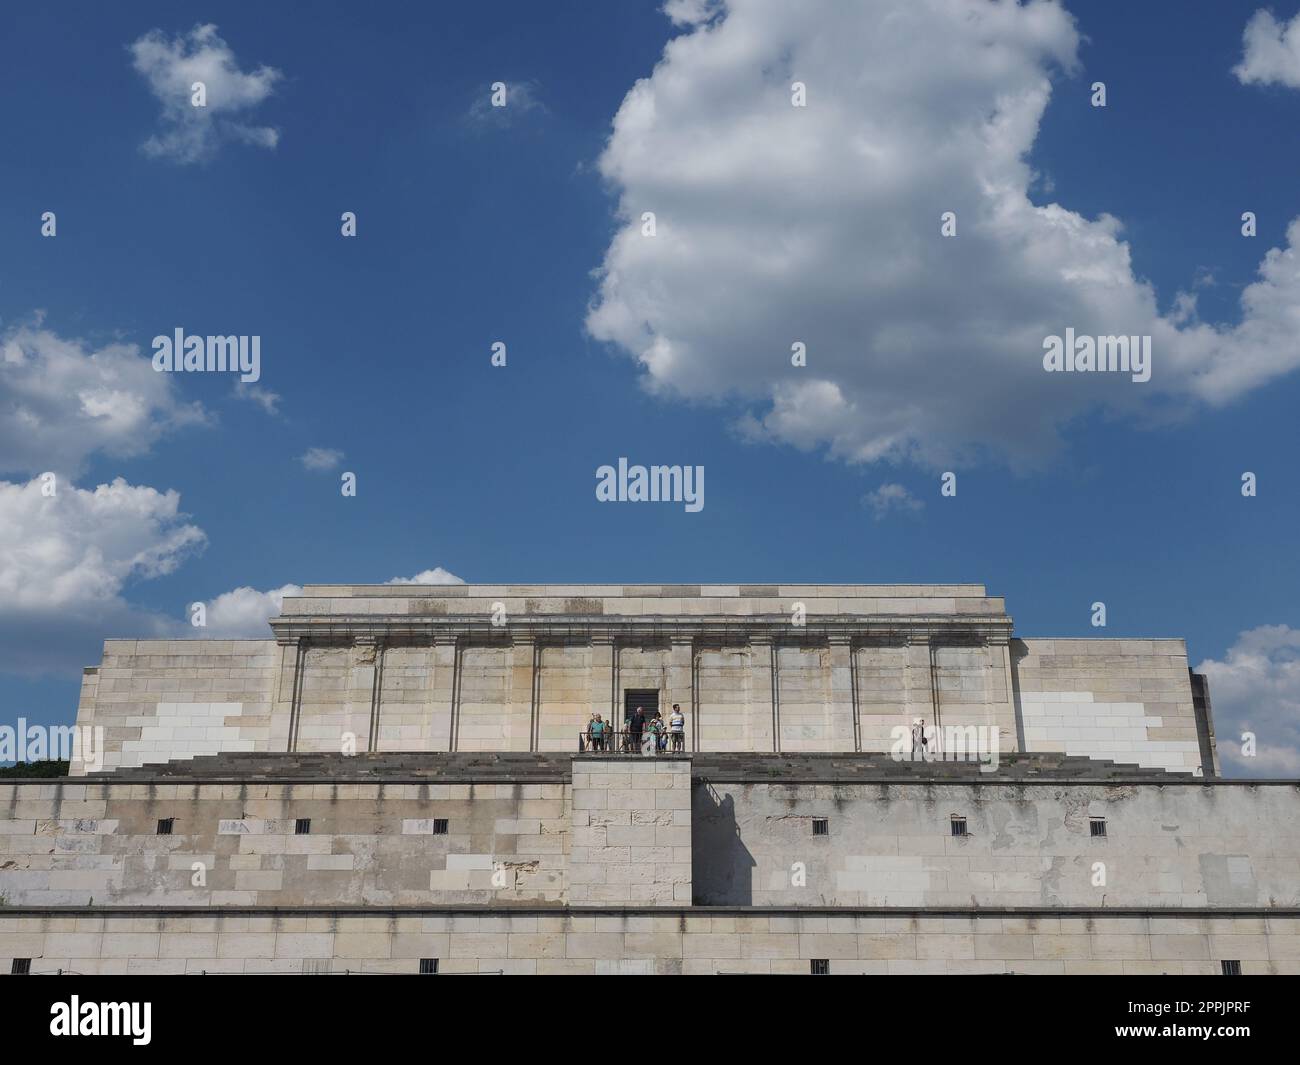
[478,228]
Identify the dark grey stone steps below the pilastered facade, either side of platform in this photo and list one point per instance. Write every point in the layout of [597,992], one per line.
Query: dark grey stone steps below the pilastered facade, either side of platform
[523,768]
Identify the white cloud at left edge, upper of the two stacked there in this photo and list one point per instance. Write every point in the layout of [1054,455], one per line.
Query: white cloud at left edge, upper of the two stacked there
[62,401]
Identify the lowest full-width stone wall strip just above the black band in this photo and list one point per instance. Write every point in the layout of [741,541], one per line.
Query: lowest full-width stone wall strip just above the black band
[677,942]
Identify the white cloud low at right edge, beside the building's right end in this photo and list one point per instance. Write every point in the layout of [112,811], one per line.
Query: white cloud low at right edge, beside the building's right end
[1256,689]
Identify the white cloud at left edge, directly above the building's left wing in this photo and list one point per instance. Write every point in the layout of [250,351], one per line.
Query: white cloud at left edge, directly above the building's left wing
[66,561]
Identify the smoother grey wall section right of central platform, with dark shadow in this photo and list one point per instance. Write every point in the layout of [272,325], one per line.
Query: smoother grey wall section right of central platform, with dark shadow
[1173,846]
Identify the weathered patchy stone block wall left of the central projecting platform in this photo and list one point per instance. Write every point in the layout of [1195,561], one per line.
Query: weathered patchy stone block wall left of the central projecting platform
[237,845]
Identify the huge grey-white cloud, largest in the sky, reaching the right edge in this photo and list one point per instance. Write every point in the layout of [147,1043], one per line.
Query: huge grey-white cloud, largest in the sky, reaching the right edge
[822,224]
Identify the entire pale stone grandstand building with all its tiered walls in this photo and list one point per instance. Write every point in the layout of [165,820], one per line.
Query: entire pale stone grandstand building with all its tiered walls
[398,781]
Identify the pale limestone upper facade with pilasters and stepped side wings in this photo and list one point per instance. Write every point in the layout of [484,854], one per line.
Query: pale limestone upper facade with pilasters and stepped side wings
[755,668]
